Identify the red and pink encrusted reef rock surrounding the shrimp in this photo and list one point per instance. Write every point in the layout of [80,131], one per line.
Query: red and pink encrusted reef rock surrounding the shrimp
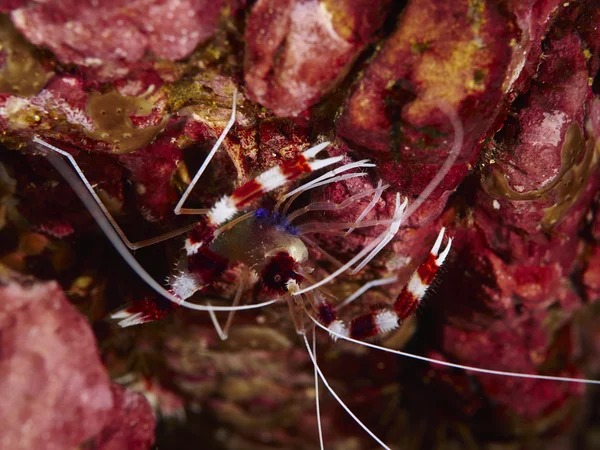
[139,91]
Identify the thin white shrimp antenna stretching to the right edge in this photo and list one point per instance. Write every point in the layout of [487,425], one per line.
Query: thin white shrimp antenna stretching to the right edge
[456,366]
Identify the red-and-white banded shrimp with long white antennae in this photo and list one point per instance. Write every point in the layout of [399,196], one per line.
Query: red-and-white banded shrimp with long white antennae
[281,253]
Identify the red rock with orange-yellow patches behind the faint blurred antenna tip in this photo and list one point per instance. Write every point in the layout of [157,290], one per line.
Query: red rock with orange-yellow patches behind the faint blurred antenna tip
[394,108]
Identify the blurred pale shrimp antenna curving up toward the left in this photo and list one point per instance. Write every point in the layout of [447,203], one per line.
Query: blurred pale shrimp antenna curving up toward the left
[89,198]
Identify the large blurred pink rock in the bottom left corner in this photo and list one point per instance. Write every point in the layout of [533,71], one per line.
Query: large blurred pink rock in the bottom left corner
[55,390]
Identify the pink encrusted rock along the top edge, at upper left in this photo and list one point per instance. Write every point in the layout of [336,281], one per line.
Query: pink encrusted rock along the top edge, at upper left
[94,33]
